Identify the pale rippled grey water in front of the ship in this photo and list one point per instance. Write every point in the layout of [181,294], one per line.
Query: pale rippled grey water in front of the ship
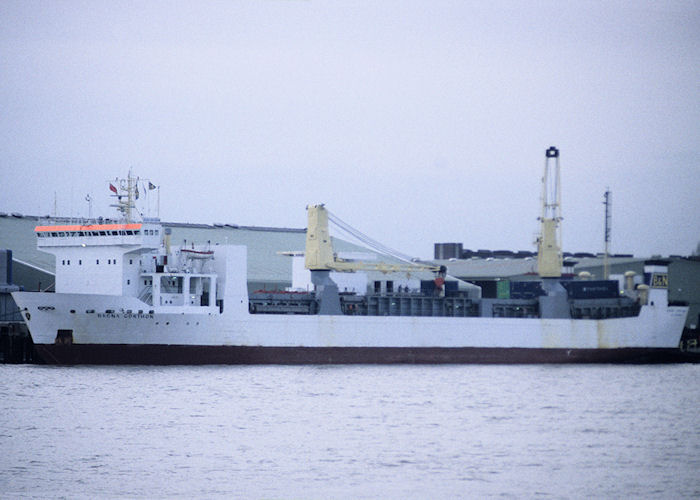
[350,431]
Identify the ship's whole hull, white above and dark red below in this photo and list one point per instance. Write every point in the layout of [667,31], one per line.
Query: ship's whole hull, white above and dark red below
[112,330]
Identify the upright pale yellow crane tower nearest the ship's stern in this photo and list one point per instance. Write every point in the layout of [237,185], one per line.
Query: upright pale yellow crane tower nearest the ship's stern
[549,255]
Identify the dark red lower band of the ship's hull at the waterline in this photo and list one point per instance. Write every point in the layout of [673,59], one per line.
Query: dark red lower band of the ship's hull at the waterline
[119,354]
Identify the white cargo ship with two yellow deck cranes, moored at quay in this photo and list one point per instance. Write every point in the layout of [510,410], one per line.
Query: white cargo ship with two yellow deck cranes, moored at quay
[125,295]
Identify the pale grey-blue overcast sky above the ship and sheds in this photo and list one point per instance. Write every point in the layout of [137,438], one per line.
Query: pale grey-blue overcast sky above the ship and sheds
[416,122]
